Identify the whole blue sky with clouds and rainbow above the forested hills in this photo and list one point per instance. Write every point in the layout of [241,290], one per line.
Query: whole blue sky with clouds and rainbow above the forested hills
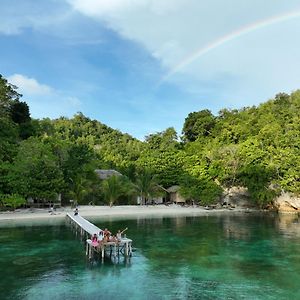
[141,66]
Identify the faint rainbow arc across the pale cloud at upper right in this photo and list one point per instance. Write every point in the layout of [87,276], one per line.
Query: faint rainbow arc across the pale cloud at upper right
[228,38]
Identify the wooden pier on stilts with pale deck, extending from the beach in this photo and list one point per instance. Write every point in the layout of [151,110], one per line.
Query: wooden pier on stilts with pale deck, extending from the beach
[86,229]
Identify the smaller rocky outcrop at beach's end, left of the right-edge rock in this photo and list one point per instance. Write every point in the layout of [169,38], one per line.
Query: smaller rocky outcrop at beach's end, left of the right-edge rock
[236,196]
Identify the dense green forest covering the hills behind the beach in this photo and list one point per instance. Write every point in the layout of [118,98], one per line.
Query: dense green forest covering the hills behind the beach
[55,160]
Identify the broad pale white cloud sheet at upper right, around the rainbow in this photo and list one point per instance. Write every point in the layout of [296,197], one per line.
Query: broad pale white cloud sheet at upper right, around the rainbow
[251,67]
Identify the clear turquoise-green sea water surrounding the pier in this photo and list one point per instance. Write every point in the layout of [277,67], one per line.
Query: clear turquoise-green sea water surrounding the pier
[211,257]
